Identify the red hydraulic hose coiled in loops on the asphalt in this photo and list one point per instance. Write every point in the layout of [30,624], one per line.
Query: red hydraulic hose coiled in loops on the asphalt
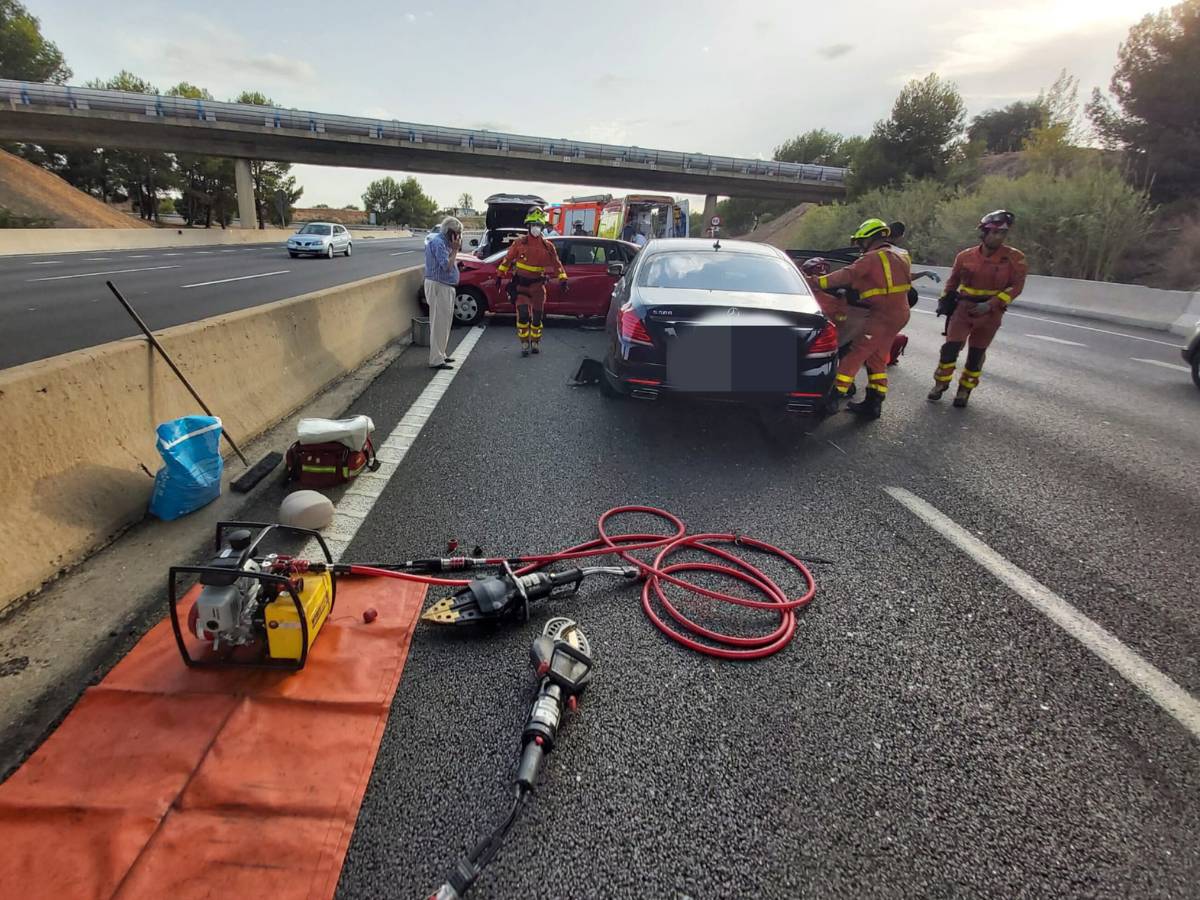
[689,633]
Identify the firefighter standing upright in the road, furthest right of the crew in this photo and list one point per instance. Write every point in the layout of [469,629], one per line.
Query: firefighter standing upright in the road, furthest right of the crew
[983,283]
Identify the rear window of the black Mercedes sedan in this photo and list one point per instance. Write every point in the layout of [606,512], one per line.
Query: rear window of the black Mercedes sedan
[721,271]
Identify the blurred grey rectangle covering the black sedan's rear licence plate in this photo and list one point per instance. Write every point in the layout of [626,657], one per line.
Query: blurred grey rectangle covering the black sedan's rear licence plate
[747,359]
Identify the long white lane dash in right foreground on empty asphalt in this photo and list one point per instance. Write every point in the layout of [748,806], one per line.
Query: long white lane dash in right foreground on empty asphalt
[1141,674]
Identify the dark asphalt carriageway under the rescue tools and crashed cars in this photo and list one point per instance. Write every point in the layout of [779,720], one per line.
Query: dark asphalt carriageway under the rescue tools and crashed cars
[928,733]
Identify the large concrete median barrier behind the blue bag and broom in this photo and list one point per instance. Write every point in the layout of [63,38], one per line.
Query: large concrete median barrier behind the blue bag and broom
[80,440]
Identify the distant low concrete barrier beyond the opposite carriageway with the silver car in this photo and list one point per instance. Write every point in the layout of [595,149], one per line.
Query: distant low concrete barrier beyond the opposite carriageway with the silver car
[17,242]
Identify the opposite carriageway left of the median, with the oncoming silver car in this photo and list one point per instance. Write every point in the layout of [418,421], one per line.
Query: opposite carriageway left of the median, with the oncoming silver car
[56,304]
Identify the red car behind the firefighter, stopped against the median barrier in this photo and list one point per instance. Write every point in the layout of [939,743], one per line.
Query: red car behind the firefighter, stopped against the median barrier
[587,262]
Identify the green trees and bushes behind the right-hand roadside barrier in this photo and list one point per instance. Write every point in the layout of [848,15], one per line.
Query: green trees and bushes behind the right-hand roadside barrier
[1096,184]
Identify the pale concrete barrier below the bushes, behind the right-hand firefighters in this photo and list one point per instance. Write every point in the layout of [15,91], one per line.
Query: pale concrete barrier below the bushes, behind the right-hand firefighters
[1175,311]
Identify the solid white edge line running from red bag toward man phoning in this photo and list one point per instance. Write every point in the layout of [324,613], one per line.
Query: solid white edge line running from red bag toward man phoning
[357,503]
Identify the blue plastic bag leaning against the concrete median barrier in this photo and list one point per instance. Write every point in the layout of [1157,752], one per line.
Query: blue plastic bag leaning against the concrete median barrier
[191,478]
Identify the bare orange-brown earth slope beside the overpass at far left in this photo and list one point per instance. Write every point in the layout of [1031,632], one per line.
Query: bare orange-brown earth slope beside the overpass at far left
[32,193]
